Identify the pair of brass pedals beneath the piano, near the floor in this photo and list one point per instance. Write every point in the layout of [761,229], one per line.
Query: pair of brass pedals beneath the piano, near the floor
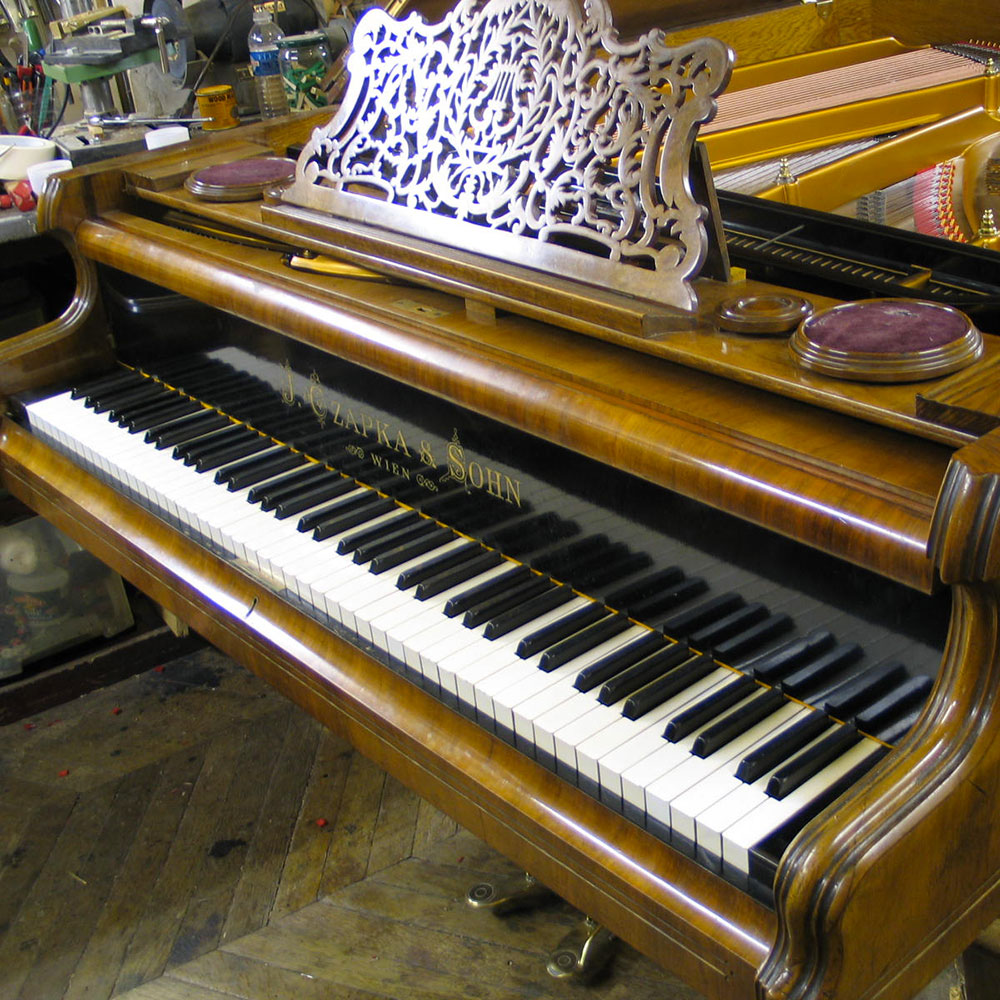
[582,954]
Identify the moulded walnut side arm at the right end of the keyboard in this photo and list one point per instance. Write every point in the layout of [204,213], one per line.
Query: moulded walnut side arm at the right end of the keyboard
[937,792]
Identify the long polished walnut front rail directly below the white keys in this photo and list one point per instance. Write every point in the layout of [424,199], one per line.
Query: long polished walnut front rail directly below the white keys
[709,933]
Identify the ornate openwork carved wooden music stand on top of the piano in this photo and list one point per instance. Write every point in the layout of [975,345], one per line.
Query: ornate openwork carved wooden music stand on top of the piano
[532,134]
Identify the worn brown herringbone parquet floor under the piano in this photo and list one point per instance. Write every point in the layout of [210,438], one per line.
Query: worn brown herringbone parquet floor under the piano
[188,835]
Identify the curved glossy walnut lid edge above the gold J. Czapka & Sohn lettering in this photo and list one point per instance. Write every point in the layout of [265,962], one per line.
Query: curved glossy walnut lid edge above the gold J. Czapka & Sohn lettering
[870,503]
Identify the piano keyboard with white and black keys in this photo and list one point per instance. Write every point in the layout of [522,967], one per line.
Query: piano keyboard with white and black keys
[614,672]
